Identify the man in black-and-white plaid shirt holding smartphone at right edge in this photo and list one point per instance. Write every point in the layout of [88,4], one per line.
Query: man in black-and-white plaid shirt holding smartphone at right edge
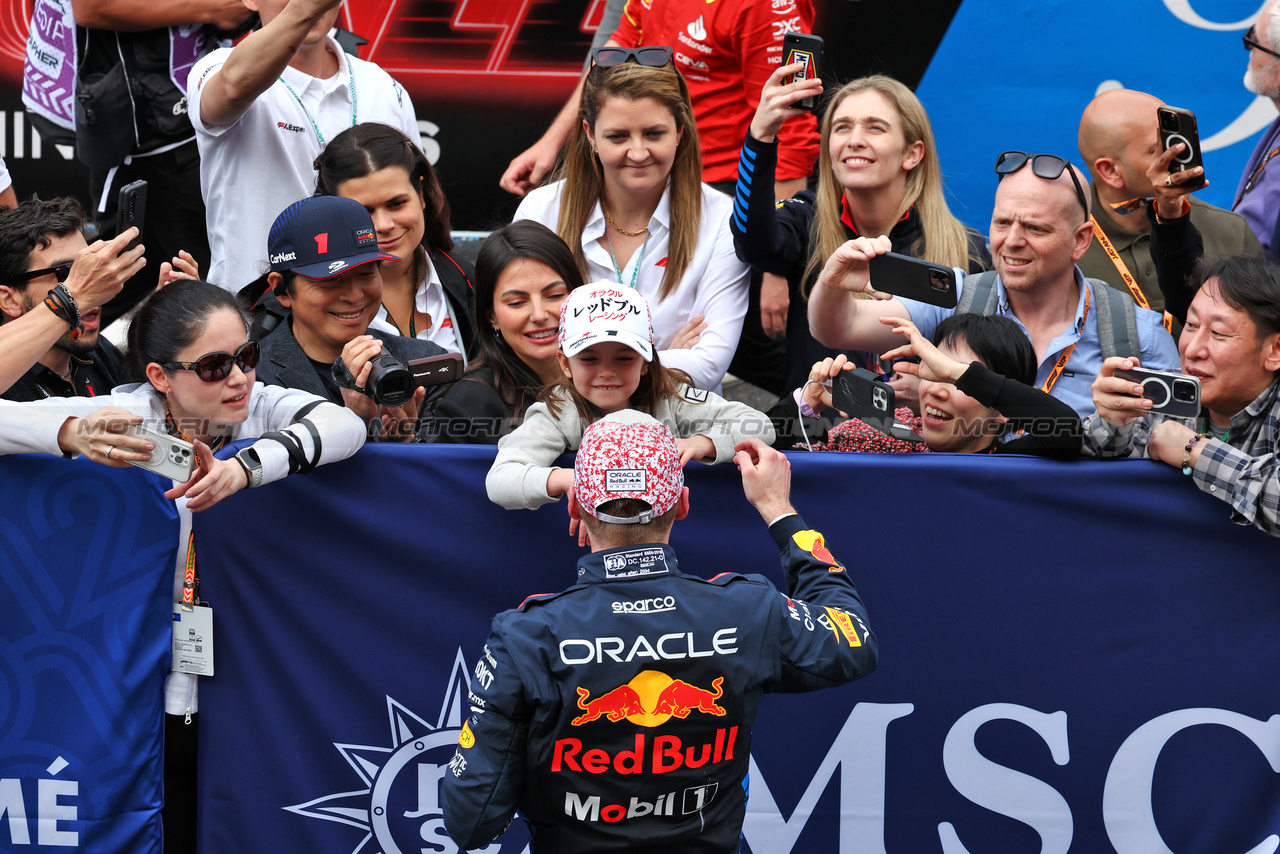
[1232,345]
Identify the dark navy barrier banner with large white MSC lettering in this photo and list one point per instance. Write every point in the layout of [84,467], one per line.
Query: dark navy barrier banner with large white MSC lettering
[1075,657]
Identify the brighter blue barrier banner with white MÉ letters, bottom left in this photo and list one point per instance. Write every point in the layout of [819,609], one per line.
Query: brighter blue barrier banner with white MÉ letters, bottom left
[86,583]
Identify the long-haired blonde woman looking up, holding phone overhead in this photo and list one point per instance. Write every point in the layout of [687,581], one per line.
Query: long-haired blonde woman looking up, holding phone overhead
[879,175]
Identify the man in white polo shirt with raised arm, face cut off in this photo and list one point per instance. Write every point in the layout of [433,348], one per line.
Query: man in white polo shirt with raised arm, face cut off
[263,111]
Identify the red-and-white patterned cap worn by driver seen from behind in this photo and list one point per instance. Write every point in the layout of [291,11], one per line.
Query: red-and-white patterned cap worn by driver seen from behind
[628,455]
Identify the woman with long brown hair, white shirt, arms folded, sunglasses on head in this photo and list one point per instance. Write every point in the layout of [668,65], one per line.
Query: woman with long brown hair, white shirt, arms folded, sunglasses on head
[632,205]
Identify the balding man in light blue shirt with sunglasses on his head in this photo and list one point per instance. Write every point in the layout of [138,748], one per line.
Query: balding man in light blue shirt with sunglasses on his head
[1040,229]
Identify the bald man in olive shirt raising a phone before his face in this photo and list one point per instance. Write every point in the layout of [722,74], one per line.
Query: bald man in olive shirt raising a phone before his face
[1145,217]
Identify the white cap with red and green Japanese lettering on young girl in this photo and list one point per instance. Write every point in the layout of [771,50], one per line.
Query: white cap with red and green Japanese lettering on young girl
[606,312]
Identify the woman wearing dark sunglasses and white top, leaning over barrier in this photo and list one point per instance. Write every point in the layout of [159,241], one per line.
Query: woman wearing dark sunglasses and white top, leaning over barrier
[191,342]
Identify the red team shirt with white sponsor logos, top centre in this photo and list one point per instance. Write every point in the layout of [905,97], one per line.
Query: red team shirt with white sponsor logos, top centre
[726,49]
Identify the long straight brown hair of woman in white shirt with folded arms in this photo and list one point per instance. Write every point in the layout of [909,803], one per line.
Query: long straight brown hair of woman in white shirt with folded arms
[584,175]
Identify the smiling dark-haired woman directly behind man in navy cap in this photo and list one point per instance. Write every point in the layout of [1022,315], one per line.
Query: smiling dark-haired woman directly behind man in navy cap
[427,295]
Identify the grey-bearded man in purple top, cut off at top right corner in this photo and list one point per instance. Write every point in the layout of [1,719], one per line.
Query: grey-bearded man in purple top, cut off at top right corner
[1258,199]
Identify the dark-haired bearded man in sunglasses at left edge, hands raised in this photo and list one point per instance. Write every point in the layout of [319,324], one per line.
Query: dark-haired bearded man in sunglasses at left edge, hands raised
[53,349]
